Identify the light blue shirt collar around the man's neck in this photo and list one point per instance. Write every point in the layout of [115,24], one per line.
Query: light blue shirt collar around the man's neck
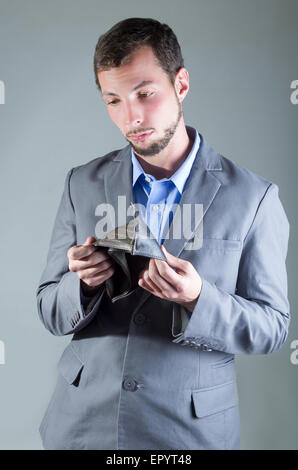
[180,176]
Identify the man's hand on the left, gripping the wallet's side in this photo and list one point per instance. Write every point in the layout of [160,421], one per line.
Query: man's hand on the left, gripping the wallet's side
[93,266]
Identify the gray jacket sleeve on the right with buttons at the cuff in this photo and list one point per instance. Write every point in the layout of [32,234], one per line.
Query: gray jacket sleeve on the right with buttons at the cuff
[256,318]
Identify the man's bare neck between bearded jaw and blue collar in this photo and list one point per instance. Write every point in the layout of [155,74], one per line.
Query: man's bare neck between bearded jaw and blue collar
[167,162]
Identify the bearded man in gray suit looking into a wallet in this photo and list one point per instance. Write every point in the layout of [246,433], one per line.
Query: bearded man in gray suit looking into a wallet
[155,369]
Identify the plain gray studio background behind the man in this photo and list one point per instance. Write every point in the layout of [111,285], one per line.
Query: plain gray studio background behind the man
[242,57]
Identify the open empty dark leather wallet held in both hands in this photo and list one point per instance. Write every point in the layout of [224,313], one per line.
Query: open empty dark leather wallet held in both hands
[131,246]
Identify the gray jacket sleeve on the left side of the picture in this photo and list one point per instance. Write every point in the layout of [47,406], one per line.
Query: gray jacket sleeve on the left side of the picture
[59,292]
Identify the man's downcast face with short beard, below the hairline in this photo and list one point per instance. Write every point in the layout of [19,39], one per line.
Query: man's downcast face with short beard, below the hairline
[142,102]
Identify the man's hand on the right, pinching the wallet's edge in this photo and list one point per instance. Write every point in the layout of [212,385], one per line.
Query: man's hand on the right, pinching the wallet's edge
[182,284]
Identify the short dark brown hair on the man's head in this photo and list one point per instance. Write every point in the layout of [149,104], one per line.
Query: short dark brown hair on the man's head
[116,46]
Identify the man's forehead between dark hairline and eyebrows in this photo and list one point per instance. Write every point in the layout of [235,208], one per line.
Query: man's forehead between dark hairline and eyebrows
[143,66]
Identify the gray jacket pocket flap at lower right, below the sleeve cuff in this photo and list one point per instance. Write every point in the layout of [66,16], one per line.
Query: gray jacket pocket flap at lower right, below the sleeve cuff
[211,400]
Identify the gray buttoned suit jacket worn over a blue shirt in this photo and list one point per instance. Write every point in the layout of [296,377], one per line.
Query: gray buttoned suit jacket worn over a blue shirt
[139,373]
